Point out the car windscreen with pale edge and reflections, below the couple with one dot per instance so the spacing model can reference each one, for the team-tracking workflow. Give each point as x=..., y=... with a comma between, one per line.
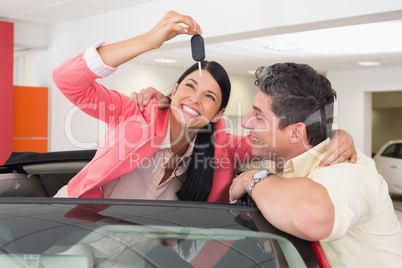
x=200, y=247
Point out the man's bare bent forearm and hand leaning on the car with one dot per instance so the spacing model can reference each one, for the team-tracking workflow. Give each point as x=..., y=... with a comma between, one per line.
x=298, y=206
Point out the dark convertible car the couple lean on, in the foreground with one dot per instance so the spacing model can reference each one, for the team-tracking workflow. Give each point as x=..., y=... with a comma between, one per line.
x=39, y=231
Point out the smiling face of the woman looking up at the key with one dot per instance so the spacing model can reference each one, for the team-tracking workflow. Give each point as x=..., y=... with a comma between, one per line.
x=196, y=100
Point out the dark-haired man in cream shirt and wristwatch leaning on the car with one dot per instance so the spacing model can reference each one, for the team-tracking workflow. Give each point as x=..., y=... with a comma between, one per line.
x=347, y=207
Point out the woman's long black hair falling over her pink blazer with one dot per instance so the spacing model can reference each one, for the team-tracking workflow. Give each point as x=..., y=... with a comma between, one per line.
x=200, y=169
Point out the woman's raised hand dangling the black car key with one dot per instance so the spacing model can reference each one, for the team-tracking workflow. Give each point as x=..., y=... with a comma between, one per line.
x=171, y=25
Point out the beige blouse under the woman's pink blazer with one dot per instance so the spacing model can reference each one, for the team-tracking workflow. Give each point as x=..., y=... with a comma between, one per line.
x=145, y=181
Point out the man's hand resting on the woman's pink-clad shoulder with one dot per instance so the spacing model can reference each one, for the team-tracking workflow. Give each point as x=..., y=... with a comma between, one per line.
x=145, y=95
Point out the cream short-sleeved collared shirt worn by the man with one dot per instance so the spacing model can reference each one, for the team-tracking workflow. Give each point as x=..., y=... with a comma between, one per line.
x=366, y=230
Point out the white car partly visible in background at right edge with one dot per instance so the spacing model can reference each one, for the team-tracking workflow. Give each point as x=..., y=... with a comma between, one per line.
x=389, y=164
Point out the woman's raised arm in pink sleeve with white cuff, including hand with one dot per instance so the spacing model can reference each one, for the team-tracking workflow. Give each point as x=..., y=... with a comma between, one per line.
x=76, y=77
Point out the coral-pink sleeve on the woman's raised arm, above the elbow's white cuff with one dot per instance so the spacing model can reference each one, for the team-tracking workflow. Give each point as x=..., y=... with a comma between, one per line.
x=77, y=82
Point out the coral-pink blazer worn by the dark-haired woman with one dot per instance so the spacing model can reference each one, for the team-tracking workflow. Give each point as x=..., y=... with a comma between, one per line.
x=134, y=136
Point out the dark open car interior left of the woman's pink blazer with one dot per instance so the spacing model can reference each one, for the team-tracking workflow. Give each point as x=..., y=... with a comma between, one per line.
x=31, y=174
